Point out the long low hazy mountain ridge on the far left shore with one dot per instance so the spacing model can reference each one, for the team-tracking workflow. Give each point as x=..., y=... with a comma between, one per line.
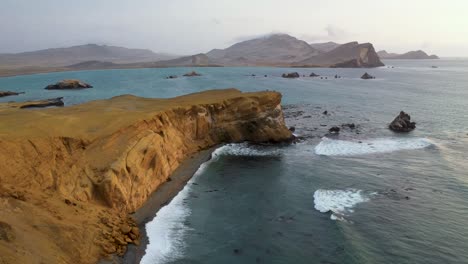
x=58, y=57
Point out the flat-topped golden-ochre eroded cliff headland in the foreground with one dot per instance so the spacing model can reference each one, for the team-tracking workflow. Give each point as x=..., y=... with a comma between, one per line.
x=69, y=177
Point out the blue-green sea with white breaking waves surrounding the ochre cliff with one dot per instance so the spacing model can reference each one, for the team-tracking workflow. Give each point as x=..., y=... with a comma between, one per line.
x=365, y=196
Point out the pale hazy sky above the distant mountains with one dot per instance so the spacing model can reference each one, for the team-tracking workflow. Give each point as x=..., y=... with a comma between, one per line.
x=193, y=26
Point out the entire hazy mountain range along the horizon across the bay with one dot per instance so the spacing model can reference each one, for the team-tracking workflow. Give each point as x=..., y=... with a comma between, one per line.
x=279, y=50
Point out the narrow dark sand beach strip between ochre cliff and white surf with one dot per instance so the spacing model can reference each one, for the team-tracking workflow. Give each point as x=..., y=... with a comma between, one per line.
x=158, y=199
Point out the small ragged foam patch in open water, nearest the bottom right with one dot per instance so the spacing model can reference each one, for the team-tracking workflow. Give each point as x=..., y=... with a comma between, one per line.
x=338, y=202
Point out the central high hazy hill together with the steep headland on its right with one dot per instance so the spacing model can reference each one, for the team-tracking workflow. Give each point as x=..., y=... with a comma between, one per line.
x=285, y=50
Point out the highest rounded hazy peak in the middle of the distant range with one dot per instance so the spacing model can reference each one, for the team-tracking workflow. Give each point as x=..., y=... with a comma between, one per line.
x=271, y=50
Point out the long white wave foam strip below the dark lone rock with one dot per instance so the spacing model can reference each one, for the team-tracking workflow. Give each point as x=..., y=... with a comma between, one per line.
x=330, y=147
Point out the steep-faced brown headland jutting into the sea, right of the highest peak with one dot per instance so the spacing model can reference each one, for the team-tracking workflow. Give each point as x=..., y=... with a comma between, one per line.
x=349, y=55
